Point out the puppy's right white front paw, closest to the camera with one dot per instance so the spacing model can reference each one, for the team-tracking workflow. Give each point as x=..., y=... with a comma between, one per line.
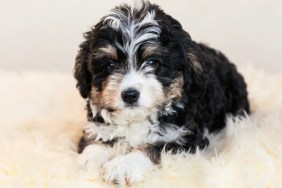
x=127, y=169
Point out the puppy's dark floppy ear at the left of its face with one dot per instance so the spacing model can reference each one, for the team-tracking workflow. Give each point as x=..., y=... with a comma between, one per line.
x=81, y=72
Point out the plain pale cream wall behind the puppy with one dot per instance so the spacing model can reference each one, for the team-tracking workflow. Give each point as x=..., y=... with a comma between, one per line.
x=44, y=35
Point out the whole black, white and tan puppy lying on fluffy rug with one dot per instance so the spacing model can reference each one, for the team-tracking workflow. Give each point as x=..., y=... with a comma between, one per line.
x=150, y=88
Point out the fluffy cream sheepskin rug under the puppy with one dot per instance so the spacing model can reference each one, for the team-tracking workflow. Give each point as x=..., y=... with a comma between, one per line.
x=42, y=116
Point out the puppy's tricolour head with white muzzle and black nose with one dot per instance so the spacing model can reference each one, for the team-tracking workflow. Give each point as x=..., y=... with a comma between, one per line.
x=134, y=61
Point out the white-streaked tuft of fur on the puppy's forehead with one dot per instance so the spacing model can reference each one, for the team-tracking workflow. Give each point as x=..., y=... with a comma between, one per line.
x=130, y=26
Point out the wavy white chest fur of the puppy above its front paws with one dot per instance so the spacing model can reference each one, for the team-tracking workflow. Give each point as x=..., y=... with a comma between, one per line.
x=137, y=134
